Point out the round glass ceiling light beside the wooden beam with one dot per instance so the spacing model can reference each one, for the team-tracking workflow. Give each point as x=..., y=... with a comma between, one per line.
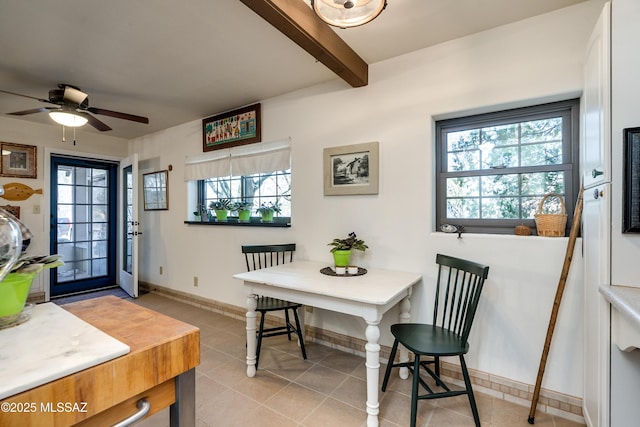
x=348, y=13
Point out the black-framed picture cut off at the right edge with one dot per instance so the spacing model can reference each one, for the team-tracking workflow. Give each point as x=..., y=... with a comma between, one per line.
x=631, y=190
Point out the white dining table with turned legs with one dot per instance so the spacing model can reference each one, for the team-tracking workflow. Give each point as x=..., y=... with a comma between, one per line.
x=368, y=296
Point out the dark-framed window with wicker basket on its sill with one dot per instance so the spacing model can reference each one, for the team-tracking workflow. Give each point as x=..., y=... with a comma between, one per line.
x=494, y=169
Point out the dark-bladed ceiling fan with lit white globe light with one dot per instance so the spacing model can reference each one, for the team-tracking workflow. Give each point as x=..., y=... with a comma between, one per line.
x=74, y=103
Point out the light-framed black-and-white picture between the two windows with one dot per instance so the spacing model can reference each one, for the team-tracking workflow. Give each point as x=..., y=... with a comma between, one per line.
x=351, y=169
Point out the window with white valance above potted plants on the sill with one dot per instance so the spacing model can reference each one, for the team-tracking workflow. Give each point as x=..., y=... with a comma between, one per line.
x=272, y=187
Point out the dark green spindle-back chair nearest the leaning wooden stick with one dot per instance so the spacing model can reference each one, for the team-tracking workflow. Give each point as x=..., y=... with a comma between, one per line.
x=458, y=288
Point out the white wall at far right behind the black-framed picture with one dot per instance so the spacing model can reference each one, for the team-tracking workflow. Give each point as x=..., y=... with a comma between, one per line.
x=625, y=248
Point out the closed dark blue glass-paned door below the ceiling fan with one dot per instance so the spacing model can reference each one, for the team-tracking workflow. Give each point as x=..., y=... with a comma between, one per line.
x=83, y=224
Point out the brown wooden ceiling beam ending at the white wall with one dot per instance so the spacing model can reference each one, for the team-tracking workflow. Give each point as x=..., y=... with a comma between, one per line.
x=297, y=21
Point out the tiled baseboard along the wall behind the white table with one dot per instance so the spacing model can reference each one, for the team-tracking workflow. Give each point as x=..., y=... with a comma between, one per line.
x=551, y=402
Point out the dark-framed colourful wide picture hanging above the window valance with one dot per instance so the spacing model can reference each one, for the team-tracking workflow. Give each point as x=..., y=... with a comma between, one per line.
x=237, y=127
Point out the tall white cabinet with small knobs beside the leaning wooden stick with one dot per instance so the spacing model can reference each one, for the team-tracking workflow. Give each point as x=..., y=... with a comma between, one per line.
x=596, y=221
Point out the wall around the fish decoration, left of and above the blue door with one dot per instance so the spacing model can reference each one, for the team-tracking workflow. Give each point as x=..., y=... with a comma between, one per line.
x=49, y=138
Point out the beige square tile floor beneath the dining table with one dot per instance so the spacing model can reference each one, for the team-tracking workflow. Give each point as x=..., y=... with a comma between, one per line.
x=328, y=389
